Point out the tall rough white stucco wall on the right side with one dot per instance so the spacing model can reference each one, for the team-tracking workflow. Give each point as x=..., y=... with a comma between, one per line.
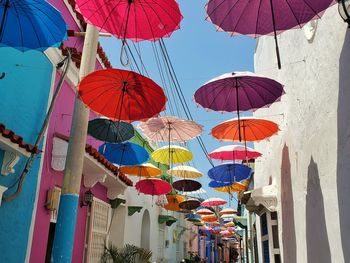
x=309, y=156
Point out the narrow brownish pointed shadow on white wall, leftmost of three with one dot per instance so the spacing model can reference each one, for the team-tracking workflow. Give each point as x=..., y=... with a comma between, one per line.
x=287, y=204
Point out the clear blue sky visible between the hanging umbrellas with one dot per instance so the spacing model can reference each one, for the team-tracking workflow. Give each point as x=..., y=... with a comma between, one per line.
x=198, y=54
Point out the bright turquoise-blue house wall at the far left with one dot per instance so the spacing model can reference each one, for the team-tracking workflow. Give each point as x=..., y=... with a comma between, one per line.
x=23, y=102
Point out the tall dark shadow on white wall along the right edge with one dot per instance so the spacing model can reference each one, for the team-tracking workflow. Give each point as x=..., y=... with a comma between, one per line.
x=343, y=162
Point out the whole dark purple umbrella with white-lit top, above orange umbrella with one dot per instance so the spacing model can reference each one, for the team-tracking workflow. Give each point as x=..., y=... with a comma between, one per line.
x=238, y=91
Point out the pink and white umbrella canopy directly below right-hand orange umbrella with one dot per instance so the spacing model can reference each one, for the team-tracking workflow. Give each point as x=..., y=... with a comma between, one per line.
x=233, y=152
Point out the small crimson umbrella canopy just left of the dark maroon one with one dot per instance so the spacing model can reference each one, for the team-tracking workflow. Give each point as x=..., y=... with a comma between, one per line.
x=153, y=186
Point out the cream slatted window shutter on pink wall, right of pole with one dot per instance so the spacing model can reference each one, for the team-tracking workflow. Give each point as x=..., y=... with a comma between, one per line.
x=97, y=230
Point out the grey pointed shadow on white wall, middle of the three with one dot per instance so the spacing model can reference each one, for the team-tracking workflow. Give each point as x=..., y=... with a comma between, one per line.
x=318, y=250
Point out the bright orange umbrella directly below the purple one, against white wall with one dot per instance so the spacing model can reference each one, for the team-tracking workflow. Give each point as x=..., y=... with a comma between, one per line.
x=253, y=129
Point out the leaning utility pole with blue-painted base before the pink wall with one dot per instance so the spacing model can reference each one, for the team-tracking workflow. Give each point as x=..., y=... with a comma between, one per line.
x=68, y=209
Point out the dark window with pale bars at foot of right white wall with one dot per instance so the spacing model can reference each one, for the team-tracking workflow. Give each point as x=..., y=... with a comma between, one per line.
x=269, y=237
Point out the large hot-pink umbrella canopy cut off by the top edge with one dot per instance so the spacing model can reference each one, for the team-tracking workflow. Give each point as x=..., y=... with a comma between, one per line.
x=135, y=20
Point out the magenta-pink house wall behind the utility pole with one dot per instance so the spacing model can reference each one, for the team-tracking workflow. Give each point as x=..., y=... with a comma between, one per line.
x=60, y=123
